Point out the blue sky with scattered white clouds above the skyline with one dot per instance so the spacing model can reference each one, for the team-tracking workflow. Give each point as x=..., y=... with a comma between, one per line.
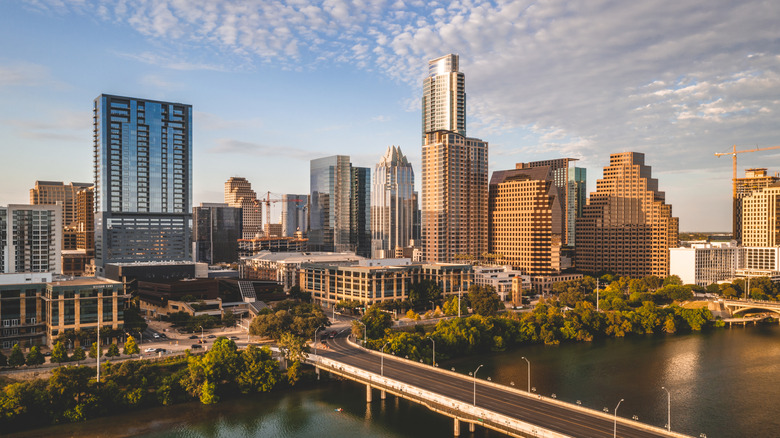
x=275, y=83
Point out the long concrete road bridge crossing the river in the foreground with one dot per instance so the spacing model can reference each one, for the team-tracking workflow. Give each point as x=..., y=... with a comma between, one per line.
x=472, y=401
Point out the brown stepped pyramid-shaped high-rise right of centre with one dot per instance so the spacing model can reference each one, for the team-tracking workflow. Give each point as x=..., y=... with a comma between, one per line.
x=626, y=227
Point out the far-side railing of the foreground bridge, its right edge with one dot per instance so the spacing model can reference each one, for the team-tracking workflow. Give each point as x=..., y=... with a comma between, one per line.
x=526, y=394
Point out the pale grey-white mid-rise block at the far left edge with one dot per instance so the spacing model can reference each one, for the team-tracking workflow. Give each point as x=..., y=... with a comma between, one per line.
x=31, y=238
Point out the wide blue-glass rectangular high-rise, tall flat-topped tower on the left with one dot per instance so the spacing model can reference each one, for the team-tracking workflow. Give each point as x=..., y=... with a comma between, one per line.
x=143, y=180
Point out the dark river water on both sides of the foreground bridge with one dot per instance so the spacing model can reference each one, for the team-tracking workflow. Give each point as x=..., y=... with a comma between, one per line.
x=724, y=383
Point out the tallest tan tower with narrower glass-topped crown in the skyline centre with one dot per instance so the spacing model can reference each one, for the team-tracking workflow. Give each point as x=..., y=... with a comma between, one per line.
x=454, y=170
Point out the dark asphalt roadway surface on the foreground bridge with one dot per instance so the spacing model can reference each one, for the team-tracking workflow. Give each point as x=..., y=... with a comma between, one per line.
x=552, y=416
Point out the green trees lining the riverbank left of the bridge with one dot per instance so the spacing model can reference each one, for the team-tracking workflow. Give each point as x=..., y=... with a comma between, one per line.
x=72, y=394
